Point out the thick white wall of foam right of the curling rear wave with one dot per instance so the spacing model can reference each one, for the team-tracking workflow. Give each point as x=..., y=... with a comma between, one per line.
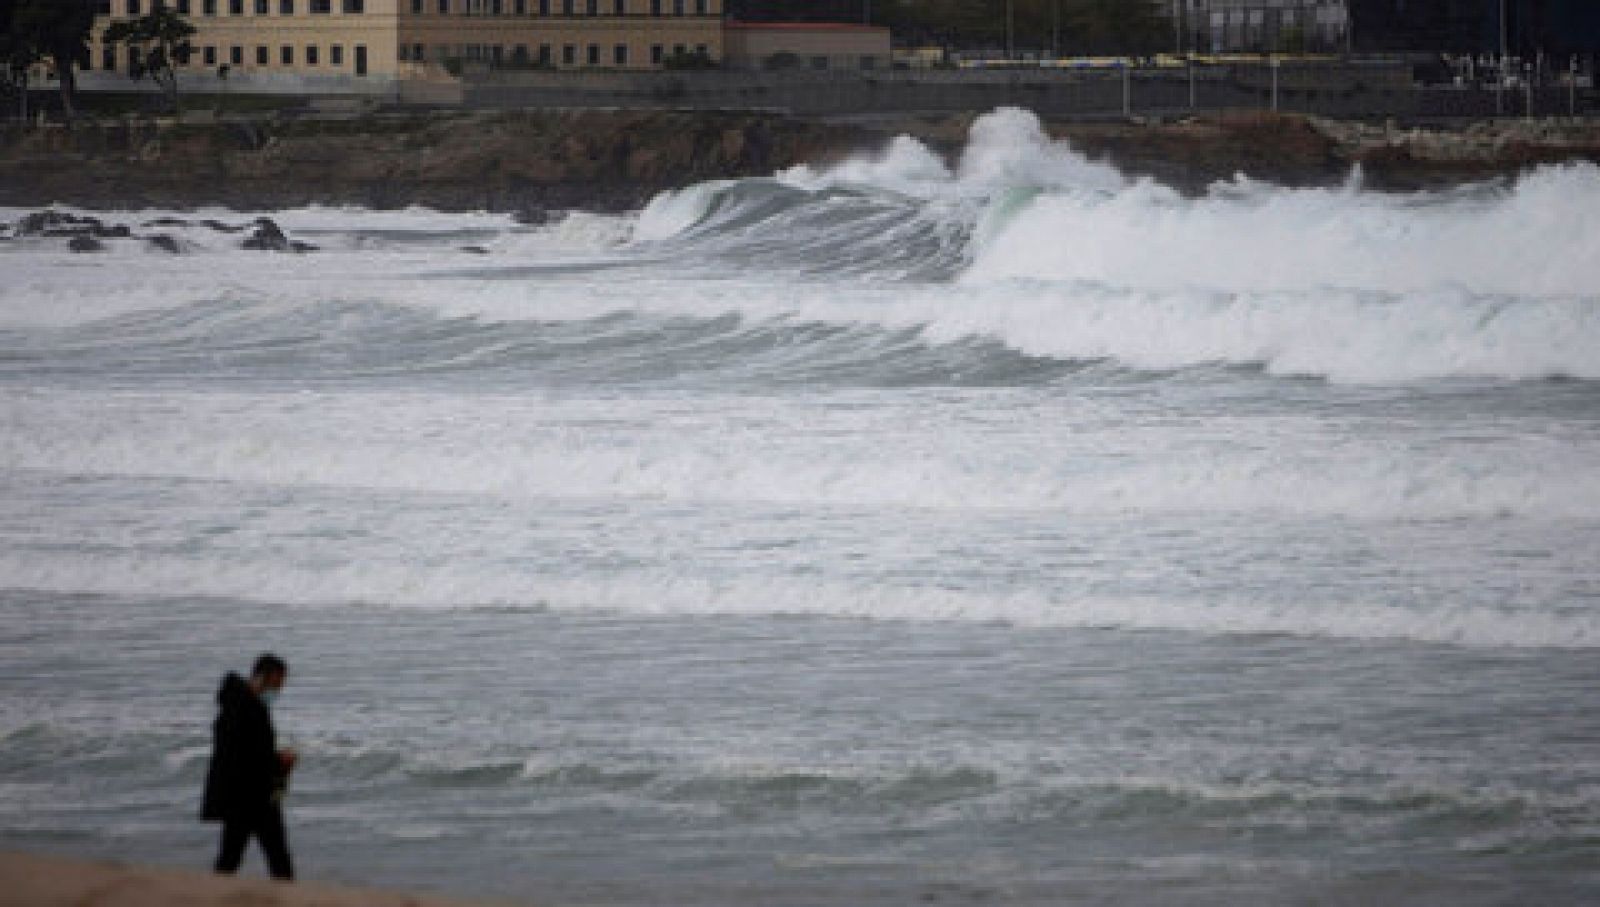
x=1538, y=239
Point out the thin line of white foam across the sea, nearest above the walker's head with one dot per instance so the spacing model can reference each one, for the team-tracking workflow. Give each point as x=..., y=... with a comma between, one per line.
x=431, y=586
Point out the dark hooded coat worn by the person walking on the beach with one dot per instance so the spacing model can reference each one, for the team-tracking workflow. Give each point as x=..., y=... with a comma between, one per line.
x=246, y=773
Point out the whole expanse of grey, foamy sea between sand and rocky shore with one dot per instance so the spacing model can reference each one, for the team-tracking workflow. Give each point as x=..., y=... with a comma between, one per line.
x=982, y=532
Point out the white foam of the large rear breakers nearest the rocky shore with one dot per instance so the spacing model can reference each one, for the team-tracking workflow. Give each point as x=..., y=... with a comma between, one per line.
x=1066, y=262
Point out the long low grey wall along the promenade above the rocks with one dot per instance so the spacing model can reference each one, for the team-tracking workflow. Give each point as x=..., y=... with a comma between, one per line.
x=1338, y=90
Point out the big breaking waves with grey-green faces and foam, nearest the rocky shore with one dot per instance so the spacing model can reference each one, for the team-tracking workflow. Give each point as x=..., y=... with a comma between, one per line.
x=1022, y=260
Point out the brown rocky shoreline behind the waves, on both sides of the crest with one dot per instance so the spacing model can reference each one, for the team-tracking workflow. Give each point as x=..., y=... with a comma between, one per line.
x=537, y=162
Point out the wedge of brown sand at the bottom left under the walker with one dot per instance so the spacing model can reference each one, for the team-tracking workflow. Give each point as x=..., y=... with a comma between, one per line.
x=30, y=881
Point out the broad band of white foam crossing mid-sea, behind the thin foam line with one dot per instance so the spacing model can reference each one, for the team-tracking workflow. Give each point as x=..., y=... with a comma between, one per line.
x=521, y=449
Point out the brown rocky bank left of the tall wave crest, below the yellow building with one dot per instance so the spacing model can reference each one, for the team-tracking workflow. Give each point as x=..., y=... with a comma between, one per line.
x=513, y=162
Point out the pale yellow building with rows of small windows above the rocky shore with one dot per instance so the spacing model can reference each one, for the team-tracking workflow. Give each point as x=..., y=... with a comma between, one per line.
x=398, y=39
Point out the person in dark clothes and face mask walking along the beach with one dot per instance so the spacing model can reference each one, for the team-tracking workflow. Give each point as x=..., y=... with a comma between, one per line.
x=249, y=773
